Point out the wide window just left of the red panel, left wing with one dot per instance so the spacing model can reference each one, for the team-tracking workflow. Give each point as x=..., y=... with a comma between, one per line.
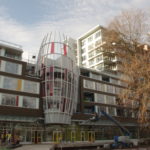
x=9, y=100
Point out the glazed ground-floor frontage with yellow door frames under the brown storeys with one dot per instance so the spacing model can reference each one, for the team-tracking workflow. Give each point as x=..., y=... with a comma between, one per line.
x=29, y=133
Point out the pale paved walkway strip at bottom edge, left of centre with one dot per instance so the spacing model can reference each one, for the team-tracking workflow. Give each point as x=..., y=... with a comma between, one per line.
x=35, y=147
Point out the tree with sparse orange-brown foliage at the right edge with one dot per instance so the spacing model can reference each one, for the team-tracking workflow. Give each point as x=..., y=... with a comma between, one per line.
x=127, y=33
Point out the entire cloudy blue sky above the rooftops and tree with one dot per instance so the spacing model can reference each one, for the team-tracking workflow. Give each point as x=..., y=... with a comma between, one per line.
x=25, y=22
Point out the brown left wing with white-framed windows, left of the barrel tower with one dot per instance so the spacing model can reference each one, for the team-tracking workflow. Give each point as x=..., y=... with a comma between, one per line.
x=20, y=105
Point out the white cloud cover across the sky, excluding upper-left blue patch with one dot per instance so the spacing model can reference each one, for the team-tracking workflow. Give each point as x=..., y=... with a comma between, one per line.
x=70, y=17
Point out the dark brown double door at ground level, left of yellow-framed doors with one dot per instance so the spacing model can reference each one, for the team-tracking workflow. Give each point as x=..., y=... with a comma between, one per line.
x=36, y=136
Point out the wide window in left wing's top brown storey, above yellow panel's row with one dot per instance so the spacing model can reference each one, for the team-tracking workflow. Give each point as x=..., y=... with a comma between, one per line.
x=12, y=68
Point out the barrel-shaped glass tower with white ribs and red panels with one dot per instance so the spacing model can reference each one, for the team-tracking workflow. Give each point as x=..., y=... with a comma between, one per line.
x=56, y=65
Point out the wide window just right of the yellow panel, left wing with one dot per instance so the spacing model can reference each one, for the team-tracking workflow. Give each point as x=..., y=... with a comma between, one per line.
x=31, y=87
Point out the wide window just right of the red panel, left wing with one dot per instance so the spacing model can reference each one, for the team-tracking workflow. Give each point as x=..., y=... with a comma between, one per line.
x=30, y=102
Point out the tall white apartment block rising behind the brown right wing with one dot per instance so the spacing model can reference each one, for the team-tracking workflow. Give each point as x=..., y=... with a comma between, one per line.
x=90, y=51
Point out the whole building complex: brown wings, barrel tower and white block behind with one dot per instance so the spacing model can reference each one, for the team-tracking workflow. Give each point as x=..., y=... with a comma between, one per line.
x=57, y=104
